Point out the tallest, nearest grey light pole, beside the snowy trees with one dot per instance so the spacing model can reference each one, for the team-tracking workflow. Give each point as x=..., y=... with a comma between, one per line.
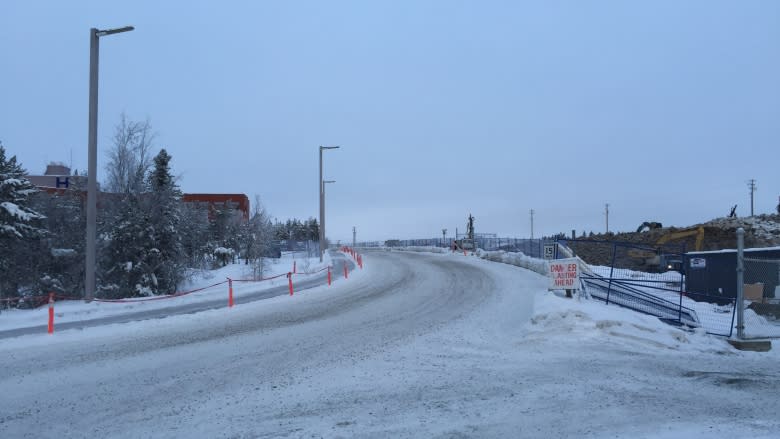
x=94, y=52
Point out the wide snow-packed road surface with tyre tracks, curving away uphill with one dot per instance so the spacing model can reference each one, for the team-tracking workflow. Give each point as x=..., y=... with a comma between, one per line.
x=415, y=345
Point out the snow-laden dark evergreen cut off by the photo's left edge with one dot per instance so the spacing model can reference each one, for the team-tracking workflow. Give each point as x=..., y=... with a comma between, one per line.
x=19, y=225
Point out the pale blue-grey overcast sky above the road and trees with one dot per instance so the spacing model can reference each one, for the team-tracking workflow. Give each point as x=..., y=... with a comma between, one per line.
x=663, y=109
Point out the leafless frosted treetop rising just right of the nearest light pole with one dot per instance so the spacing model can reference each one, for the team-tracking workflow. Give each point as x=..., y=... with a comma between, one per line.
x=130, y=158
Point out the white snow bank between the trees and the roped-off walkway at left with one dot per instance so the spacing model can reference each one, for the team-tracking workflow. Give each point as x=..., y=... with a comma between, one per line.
x=77, y=310
